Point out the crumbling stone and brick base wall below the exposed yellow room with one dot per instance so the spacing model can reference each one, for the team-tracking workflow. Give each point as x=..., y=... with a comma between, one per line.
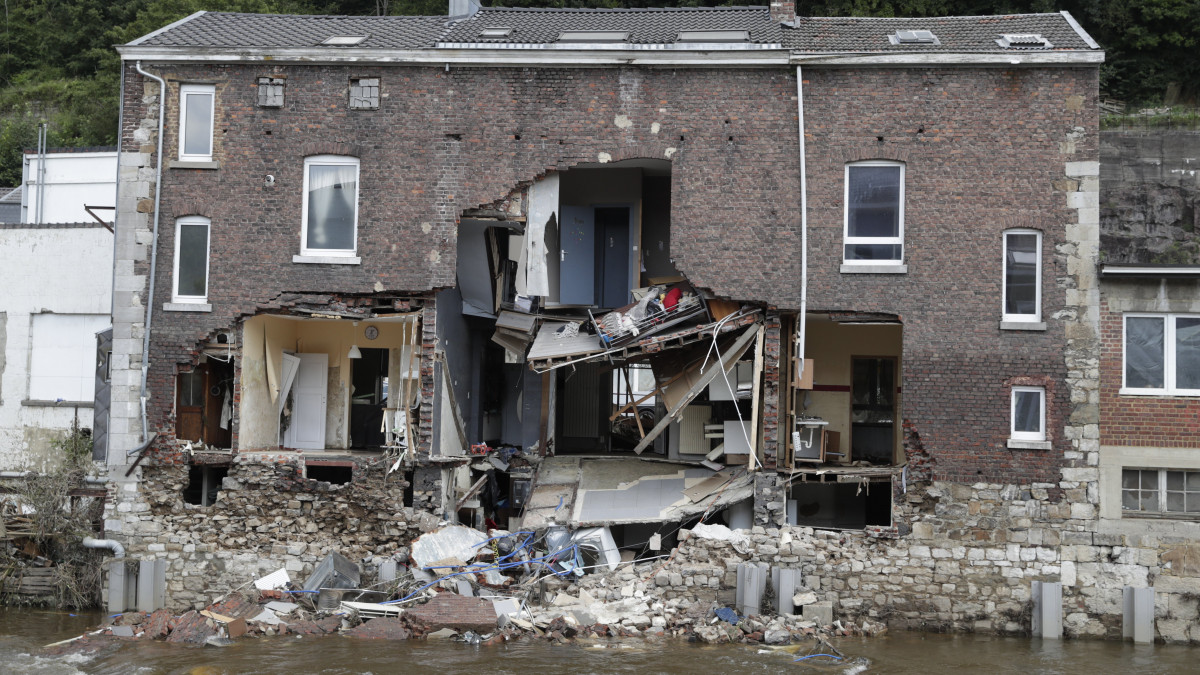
x=267, y=517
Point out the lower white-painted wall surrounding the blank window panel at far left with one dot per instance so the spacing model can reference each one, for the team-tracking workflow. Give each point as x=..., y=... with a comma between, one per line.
x=61, y=271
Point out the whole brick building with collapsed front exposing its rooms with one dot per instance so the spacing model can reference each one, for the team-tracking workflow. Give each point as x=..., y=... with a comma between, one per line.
x=614, y=268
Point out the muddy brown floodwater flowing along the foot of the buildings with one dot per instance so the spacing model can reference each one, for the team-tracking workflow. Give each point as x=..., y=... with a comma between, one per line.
x=23, y=632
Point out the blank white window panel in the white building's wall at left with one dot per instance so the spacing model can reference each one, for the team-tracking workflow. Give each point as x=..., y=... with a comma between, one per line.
x=63, y=356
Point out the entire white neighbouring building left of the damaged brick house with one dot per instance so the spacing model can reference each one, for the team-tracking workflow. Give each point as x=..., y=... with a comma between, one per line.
x=57, y=273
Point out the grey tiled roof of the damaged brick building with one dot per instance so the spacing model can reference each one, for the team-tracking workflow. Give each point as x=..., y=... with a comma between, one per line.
x=645, y=27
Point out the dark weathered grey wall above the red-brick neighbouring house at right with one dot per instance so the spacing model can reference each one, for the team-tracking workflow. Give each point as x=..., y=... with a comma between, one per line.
x=1150, y=196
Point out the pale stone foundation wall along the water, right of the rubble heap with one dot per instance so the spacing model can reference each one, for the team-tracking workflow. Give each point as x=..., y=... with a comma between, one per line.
x=967, y=566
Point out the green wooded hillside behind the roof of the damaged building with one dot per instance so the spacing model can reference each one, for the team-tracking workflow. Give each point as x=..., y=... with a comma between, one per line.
x=58, y=64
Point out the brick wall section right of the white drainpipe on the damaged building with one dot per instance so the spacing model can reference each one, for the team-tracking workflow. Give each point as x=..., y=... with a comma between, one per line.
x=982, y=151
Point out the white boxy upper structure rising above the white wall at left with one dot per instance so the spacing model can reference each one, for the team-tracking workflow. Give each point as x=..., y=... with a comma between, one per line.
x=74, y=181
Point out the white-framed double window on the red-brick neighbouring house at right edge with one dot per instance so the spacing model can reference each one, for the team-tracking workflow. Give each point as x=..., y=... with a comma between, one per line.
x=1162, y=355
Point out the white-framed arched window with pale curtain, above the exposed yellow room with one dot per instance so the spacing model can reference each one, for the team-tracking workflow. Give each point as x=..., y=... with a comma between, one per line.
x=331, y=206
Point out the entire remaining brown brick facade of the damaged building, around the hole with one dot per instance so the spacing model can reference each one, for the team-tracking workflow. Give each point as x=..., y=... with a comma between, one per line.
x=983, y=148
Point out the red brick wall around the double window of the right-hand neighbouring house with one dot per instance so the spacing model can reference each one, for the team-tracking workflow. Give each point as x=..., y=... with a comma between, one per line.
x=1162, y=422
